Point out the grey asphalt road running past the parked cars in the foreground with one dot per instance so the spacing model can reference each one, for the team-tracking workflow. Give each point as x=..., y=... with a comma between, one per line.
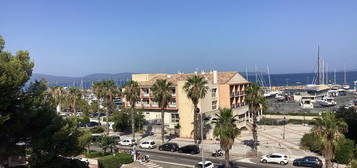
x=177, y=160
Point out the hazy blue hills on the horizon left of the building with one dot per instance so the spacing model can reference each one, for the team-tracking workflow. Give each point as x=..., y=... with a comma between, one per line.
x=91, y=77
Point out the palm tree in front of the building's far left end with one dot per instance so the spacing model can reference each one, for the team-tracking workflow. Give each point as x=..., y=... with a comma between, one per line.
x=132, y=95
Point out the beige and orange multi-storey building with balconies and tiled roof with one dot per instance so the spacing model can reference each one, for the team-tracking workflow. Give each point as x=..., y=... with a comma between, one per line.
x=226, y=90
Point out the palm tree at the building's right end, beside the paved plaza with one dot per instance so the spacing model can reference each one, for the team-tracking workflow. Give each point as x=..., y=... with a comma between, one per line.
x=256, y=103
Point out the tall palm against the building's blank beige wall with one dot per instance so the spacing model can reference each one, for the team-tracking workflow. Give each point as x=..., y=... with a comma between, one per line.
x=196, y=89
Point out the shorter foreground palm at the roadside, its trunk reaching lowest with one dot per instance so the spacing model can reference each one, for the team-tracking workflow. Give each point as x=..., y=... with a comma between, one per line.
x=226, y=130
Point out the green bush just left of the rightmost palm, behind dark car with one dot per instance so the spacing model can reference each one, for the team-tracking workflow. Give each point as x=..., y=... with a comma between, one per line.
x=311, y=142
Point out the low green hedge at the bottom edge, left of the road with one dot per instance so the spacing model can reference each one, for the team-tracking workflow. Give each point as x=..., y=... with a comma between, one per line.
x=116, y=161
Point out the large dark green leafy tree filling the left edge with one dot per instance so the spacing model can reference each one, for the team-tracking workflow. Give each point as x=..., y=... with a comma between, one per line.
x=30, y=116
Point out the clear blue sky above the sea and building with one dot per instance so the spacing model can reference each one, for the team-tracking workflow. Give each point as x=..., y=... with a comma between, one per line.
x=76, y=38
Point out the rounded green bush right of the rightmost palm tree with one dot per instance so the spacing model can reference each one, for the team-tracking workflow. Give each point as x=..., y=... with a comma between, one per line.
x=344, y=151
